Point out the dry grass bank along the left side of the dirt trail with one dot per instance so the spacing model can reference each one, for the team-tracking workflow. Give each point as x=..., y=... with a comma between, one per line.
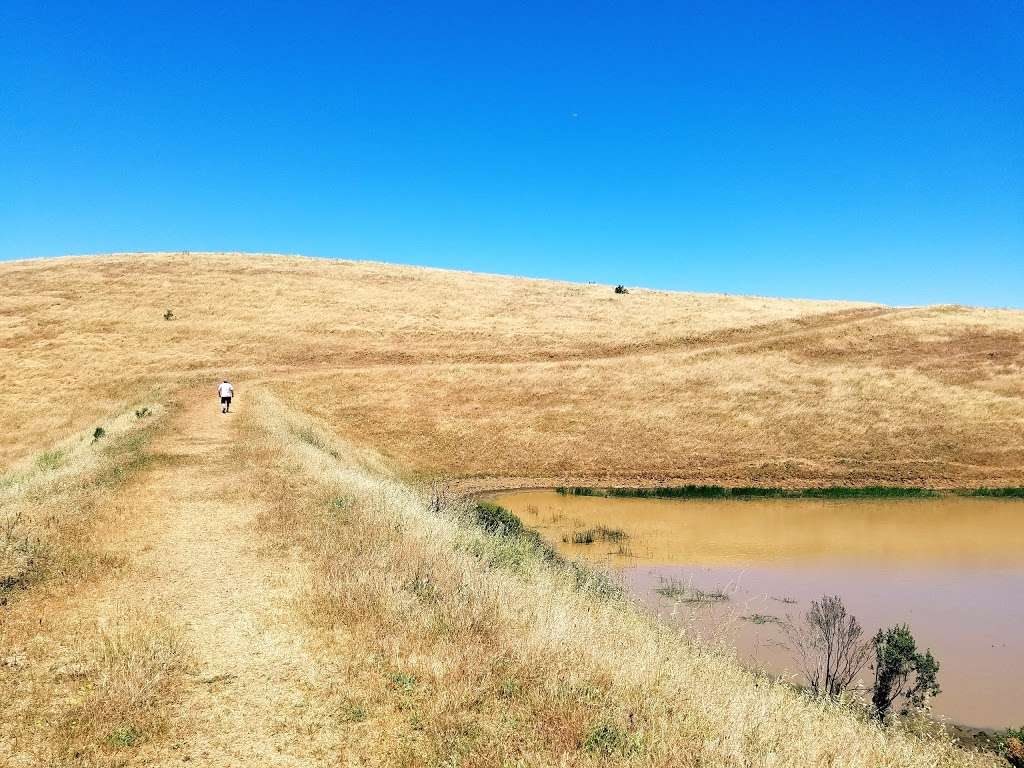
x=78, y=691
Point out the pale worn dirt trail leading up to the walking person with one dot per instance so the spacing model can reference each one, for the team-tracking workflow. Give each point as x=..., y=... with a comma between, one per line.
x=260, y=698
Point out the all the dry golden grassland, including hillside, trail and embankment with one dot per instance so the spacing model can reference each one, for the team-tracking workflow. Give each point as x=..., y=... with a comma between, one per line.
x=298, y=585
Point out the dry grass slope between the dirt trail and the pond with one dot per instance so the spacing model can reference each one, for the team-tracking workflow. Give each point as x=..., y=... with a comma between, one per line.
x=476, y=650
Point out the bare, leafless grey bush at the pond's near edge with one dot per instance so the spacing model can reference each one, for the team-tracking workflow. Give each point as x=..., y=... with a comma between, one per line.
x=830, y=646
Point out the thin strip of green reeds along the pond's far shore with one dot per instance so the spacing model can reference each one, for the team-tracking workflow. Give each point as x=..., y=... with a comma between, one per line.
x=835, y=492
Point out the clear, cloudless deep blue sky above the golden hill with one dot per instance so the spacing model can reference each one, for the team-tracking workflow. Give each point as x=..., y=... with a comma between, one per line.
x=869, y=151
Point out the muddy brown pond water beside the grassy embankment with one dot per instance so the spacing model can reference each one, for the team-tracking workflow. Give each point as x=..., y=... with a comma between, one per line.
x=952, y=568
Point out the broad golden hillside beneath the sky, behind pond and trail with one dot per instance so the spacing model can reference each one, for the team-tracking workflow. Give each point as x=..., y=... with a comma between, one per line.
x=503, y=381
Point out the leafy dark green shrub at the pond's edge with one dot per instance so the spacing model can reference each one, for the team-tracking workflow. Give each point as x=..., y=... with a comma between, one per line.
x=902, y=671
